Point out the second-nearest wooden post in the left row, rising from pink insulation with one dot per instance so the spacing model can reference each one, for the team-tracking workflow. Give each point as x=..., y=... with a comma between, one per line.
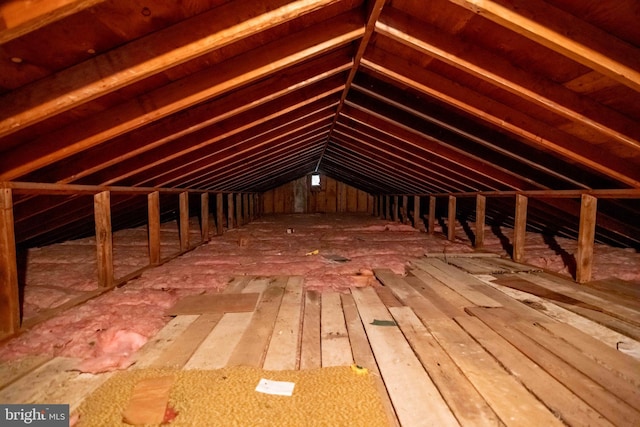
x=104, y=238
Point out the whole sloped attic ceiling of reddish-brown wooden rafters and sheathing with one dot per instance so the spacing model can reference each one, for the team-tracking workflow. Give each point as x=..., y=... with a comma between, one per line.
x=392, y=97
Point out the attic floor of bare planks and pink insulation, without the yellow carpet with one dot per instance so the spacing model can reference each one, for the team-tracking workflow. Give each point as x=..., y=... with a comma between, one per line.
x=467, y=339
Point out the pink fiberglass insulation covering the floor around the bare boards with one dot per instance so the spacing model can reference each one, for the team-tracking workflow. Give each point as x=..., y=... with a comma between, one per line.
x=329, y=251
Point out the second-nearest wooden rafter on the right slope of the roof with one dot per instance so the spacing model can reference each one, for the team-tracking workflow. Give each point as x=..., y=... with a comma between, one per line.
x=500, y=72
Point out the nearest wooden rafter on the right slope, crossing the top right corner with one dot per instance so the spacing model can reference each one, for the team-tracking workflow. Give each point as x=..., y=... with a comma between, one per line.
x=564, y=33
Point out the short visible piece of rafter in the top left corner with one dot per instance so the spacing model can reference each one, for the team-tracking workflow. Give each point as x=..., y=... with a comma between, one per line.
x=20, y=17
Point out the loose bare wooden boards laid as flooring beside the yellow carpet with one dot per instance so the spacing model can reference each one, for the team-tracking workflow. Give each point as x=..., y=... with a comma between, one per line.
x=448, y=347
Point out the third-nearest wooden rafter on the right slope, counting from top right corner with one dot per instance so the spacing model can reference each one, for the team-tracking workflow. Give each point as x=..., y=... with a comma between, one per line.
x=538, y=134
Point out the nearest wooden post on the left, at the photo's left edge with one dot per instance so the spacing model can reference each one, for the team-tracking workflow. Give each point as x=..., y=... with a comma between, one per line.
x=9, y=291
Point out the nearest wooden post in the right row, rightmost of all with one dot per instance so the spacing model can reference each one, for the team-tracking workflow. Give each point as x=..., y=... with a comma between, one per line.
x=586, y=237
